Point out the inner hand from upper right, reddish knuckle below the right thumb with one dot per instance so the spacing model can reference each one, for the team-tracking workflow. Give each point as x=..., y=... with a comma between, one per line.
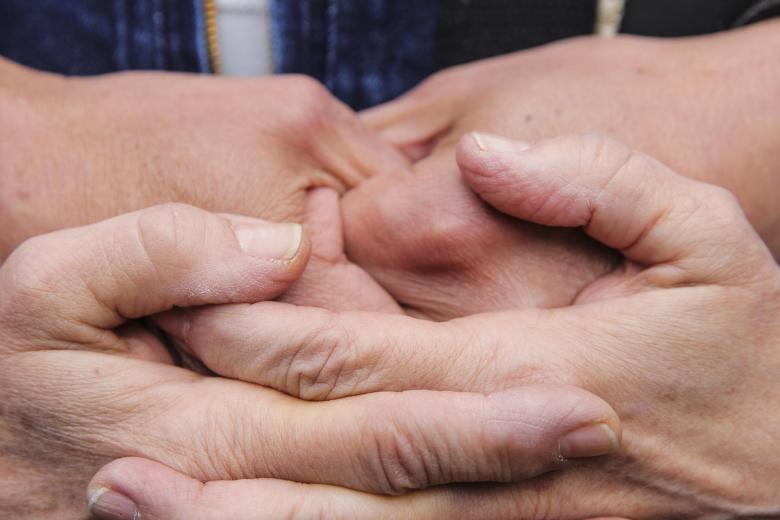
x=706, y=106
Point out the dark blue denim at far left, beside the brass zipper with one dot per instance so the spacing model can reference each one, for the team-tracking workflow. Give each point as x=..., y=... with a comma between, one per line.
x=79, y=37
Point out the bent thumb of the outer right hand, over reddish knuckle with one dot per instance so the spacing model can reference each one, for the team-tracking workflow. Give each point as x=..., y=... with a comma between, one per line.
x=622, y=198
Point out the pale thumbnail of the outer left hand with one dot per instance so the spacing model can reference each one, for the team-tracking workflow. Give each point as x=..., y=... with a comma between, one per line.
x=269, y=241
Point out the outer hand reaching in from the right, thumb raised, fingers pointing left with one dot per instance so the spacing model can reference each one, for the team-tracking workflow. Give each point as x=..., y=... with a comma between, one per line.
x=683, y=340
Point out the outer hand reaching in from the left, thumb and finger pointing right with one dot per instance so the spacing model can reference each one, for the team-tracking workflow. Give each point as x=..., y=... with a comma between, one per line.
x=83, y=381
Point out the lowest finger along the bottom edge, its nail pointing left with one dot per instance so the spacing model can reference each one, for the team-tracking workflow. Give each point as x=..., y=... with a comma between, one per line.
x=151, y=491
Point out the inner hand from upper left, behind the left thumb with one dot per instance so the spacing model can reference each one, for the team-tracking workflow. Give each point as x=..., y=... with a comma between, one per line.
x=75, y=151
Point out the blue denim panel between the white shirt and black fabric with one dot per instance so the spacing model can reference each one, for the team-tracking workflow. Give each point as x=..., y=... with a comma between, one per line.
x=364, y=51
